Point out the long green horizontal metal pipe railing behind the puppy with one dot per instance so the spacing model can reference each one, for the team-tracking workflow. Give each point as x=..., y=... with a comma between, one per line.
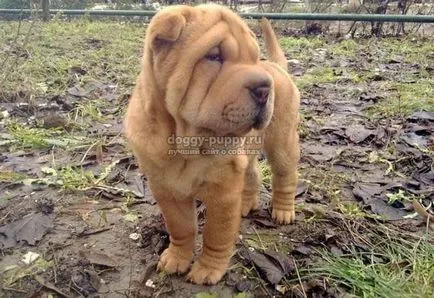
x=275, y=16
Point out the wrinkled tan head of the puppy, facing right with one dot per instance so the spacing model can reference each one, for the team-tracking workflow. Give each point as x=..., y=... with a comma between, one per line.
x=210, y=74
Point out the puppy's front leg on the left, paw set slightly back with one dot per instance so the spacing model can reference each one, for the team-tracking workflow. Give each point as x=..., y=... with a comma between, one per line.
x=180, y=219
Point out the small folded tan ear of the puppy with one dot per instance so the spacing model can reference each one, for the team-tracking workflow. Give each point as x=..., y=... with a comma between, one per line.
x=165, y=28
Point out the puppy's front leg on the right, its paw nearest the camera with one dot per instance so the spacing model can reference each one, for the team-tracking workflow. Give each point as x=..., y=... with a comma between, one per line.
x=223, y=215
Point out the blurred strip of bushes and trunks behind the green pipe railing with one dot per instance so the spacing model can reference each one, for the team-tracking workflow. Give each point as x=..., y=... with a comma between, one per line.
x=401, y=7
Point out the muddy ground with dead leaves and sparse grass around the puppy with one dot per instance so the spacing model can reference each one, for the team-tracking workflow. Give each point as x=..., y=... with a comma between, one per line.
x=71, y=193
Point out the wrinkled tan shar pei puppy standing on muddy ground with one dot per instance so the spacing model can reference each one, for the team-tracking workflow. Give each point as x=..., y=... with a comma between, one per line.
x=201, y=93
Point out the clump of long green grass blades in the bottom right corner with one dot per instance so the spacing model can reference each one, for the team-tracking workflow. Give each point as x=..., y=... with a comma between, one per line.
x=393, y=267
